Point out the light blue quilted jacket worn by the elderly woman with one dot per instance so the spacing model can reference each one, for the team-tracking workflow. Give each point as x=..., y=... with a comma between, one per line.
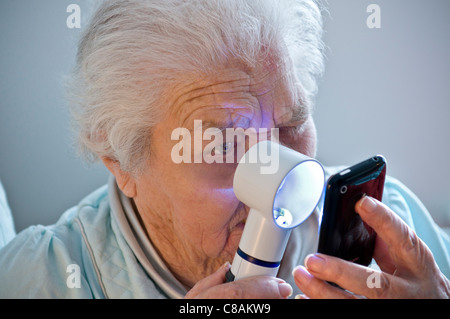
x=95, y=250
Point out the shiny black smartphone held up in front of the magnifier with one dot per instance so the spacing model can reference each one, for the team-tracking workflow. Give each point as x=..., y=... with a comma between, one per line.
x=343, y=234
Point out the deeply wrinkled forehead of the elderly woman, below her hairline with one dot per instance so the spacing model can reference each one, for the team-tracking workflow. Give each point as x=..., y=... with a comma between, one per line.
x=236, y=94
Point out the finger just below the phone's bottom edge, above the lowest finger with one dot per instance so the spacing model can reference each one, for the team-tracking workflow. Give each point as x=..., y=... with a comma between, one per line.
x=353, y=277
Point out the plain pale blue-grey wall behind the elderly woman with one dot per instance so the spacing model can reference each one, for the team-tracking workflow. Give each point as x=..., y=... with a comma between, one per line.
x=385, y=91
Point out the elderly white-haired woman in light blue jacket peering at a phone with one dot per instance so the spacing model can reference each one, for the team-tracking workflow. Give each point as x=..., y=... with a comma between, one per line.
x=168, y=229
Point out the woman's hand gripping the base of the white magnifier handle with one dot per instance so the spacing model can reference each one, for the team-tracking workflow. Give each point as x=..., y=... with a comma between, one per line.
x=258, y=287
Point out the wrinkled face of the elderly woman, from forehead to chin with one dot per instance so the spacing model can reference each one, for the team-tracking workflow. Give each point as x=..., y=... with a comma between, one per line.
x=203, y=220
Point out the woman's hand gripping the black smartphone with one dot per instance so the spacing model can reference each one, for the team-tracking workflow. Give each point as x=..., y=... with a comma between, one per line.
x=408, y=269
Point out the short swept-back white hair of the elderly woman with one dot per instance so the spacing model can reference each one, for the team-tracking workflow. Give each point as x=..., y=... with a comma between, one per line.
x=133, y=50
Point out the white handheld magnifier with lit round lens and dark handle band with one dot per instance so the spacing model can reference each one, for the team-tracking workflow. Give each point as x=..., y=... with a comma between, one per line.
x=279, y=201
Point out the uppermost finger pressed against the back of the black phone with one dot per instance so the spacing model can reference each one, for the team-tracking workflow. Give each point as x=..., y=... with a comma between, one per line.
x=405, y=247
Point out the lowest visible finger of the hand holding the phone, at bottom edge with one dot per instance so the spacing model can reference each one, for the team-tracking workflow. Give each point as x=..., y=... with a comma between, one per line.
x=313, y=287
